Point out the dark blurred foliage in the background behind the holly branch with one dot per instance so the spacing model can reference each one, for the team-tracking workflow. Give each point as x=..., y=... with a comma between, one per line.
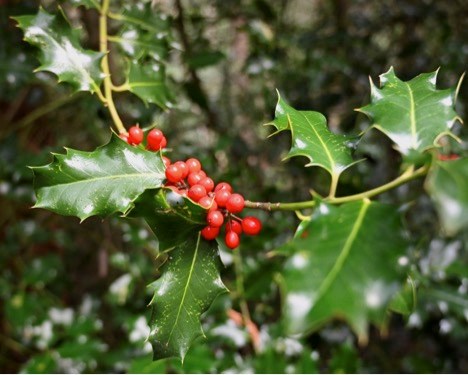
x=74, y=296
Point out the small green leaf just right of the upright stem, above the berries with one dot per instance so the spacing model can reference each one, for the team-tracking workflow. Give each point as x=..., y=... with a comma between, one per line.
x=148, y=83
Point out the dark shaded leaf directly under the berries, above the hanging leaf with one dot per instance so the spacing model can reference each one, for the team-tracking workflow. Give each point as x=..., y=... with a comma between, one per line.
x=172, y=217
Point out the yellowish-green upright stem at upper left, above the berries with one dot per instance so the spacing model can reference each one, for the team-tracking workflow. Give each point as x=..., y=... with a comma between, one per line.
x=105, y=67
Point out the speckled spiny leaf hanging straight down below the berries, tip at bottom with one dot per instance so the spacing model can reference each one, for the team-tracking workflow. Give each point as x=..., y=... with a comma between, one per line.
x=189, y=283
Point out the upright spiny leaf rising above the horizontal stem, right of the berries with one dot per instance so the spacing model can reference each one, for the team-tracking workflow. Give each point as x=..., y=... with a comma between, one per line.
x=312, y=138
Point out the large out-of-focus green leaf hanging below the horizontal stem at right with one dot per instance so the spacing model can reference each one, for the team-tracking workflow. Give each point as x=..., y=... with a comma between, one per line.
x=344, y=264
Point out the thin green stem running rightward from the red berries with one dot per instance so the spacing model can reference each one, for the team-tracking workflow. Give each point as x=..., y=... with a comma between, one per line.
x=408, y=175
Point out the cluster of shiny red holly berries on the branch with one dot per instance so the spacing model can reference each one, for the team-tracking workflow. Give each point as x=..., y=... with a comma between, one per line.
x=188, y=179
